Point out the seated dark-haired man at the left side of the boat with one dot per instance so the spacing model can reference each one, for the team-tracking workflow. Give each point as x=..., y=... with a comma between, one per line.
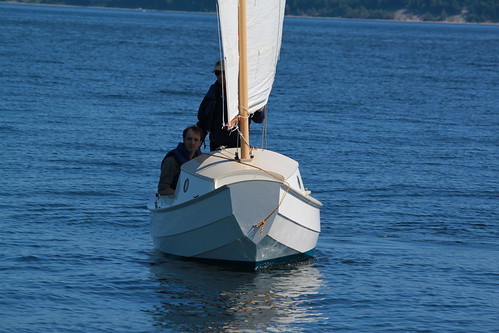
x=185, y=151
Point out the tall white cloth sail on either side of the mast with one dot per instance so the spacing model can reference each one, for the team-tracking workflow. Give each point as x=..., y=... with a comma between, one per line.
x=264, y=30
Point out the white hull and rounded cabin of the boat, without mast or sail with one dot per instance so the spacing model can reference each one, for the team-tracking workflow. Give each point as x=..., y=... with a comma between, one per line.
x=216, y=216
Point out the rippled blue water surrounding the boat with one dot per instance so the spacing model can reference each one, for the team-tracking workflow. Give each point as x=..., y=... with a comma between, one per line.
x=395, y=125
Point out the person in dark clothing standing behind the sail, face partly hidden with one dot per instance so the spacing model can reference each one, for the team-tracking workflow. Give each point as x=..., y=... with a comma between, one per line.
x=213, y=110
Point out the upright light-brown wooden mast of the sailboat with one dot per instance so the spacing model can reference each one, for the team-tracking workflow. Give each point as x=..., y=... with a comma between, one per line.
x=243, y=83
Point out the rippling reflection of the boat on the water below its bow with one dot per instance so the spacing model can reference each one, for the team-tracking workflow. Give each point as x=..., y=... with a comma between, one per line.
x=201, y=297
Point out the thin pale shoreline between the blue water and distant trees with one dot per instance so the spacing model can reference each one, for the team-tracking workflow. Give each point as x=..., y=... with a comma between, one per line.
x=401, y=17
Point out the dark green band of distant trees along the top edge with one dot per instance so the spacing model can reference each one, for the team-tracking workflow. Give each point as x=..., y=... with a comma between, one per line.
x=428, y=10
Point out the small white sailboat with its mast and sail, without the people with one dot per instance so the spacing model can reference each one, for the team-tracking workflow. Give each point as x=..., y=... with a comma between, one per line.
x=238, y=205
